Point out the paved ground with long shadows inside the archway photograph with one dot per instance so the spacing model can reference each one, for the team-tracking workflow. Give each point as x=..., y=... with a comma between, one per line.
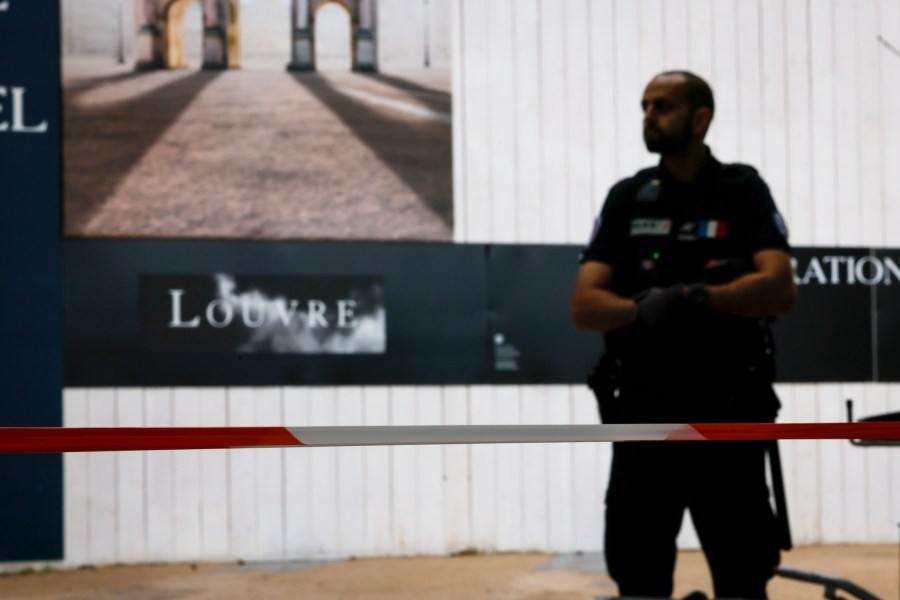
x=256, y=153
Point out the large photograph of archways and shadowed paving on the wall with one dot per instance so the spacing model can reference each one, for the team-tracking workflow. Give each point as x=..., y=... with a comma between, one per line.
x=257, y=119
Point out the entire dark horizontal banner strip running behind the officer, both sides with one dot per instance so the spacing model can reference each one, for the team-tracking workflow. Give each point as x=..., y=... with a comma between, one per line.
x=146, y=313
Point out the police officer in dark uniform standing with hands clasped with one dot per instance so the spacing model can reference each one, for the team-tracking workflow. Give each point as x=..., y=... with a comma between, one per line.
x=687, y=263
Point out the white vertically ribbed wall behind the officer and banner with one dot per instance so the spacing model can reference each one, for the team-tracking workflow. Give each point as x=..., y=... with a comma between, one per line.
x=546, y=117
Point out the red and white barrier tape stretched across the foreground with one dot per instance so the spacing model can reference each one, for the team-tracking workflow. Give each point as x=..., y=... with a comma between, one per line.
x=24, y=440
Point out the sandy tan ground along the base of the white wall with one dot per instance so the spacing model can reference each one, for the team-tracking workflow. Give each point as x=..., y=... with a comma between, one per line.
x=479, y=577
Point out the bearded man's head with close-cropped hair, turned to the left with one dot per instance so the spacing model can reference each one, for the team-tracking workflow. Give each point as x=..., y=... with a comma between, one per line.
x=678, y=108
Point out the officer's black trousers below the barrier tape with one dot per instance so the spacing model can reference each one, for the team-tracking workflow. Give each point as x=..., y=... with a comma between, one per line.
x=723, y=484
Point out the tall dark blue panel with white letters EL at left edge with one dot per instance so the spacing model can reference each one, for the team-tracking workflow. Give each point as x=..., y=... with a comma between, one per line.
x=31, y=370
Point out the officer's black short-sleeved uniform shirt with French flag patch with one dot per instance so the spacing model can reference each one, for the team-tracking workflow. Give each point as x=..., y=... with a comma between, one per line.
x=655, y=231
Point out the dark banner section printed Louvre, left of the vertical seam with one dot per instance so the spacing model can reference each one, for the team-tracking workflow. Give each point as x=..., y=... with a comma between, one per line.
x=370, y=313
